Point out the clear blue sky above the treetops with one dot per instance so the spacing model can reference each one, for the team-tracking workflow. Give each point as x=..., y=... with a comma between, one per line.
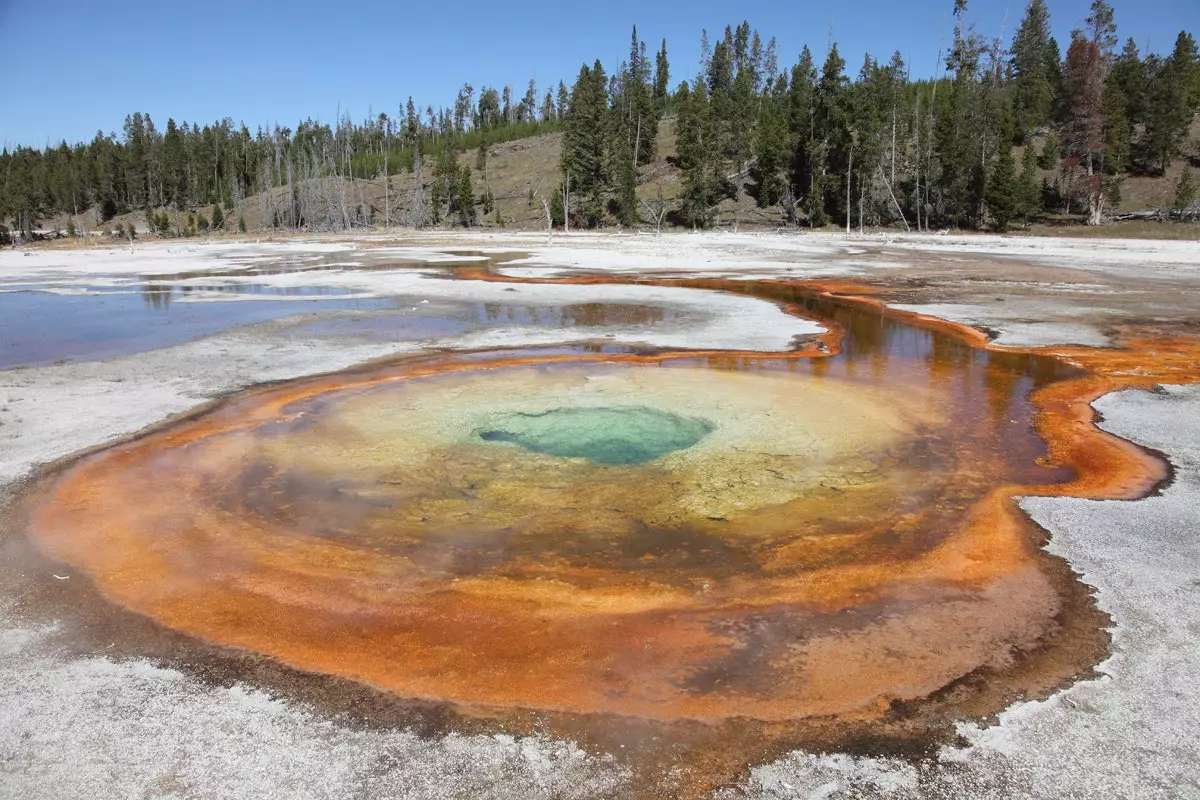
x=73, y=67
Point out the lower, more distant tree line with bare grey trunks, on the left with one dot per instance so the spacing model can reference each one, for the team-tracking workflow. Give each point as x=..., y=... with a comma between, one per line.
x=302, y=177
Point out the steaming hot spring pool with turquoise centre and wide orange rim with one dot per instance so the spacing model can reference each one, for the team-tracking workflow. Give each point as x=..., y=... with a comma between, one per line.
x=711, y=558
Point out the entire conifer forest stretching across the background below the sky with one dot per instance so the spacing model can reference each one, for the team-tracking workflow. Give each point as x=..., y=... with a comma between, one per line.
x=812, y=143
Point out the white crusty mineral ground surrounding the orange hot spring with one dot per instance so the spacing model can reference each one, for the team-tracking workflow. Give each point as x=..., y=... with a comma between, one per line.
x=89, y=726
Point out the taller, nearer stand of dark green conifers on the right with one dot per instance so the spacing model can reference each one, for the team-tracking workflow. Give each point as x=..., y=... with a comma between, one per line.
x=817, y=147
